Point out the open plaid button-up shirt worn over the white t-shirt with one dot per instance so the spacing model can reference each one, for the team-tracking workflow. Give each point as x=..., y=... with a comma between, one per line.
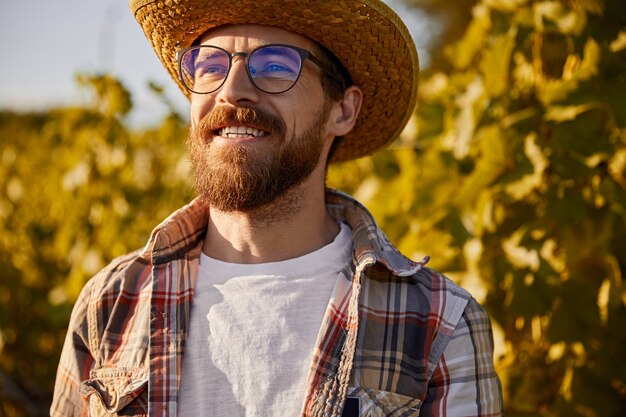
x=397, y=339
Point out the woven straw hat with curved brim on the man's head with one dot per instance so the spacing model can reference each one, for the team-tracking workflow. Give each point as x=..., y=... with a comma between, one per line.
x=367, y=36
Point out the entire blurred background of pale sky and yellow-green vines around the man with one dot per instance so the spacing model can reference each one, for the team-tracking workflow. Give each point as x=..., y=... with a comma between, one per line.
x=511, y=176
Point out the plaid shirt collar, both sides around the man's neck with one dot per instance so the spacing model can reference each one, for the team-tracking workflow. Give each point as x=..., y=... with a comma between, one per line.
x=185, y=229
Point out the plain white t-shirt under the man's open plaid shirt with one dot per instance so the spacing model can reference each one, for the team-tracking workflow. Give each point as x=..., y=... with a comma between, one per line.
x=253, y=330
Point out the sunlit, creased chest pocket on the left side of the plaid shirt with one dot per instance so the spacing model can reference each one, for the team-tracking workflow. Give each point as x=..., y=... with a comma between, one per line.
x=116, y=392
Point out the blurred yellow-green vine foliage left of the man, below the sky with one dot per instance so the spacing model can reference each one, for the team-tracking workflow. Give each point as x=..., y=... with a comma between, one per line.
x=79, y=187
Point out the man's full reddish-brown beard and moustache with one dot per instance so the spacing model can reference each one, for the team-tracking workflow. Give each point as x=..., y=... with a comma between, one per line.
x=243, y=178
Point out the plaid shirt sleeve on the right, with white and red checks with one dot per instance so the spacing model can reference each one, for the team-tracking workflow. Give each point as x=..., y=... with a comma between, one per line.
x=465, y=382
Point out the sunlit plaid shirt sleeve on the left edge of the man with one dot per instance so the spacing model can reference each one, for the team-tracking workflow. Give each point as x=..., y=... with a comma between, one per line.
x=75, y=364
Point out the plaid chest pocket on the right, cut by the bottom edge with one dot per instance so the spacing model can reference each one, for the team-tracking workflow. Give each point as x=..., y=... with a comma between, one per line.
x=376, y=403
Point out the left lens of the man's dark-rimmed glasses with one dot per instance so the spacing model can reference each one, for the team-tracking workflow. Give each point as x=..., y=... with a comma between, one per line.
x=204, y=68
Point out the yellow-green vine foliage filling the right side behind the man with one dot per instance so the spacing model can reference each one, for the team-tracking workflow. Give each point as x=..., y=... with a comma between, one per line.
x=512, y=177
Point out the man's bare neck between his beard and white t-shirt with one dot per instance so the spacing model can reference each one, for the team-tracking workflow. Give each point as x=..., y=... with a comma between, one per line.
x=294, y=225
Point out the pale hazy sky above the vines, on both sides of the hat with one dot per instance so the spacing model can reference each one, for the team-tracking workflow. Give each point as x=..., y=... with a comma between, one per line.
x=44, y=44
